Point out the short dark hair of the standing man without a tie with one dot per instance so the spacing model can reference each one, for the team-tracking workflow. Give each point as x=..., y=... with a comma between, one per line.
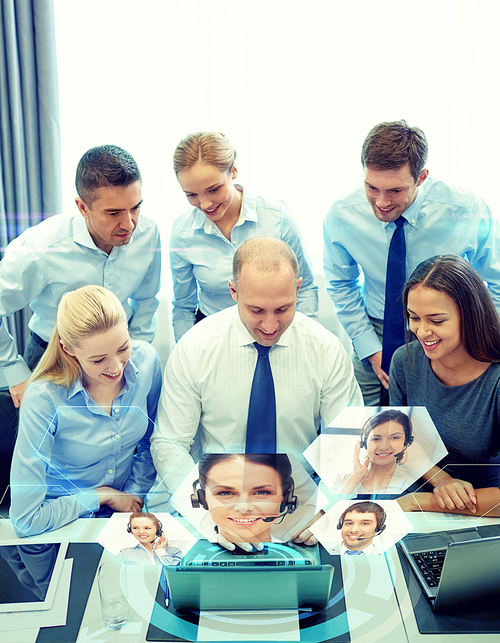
x=104, y=166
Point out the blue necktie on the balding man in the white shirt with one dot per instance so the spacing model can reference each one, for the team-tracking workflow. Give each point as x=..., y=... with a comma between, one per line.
x=261, y=424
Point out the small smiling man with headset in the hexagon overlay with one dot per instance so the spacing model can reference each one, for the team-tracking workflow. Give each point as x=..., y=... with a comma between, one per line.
x=359, y=524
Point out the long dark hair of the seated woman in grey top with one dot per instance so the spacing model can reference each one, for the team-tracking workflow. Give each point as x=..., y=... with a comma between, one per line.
x=479, y=321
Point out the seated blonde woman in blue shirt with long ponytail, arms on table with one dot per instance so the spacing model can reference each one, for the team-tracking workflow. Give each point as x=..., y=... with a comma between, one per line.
x=88, y=406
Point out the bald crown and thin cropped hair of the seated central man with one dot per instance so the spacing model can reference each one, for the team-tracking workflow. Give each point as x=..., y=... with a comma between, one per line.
x=267, y=253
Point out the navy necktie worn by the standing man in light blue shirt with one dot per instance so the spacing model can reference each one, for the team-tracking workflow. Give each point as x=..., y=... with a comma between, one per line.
x=394, y=318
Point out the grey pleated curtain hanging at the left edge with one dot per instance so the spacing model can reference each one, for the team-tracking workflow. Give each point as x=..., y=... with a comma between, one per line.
x=30, y=151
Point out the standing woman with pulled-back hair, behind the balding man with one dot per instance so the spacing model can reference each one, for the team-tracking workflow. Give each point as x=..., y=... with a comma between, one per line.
x=223, y=216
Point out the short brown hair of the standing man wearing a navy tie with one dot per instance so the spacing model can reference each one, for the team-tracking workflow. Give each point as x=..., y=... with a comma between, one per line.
x=391, y=145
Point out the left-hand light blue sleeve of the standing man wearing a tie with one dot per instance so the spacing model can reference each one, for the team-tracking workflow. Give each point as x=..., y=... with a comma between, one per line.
x=342, y=275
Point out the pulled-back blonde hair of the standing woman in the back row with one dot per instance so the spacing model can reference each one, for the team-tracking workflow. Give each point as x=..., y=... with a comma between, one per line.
x=211, y=148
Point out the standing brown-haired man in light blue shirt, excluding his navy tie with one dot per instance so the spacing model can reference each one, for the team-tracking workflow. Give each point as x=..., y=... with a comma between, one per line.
x=438, y=219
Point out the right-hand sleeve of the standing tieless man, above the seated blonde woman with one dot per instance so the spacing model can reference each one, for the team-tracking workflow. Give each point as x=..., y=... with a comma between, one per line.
x=144, y=301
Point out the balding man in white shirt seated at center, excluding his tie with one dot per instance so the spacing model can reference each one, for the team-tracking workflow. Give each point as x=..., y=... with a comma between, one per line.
x=204, y=402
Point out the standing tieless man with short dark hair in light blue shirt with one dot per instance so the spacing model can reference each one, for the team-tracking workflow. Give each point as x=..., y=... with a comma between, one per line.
x=105, y=243
